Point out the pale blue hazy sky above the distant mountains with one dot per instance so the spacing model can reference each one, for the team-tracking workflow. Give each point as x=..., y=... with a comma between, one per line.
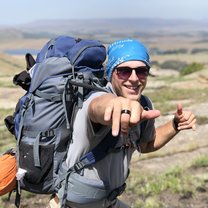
x=14, y=12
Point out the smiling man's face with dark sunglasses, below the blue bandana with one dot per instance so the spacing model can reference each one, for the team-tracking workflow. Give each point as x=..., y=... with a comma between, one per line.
x=129, y=79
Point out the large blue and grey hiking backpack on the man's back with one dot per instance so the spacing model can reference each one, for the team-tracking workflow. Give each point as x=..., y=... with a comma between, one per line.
x=64, y=72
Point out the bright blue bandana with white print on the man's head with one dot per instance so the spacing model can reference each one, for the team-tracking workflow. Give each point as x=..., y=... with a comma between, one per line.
x=125, y=50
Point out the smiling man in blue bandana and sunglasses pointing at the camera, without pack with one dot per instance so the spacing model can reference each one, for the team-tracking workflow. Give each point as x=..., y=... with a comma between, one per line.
x=120, y=112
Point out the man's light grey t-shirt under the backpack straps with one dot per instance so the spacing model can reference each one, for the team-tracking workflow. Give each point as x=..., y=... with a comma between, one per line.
x=112, y=170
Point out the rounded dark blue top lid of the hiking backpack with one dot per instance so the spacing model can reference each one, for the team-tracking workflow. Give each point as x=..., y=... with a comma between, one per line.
x=80, y=52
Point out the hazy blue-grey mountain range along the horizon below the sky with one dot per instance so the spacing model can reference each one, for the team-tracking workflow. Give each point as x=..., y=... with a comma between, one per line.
x=103, y=28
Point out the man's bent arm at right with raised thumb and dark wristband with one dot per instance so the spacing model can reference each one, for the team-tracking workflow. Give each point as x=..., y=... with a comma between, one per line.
x=182, y=119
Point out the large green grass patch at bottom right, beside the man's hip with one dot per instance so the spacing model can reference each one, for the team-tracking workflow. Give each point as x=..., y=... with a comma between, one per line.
x=146, y=189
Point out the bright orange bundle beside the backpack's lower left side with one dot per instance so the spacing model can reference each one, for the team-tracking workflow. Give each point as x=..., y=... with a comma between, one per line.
x=7, y=173
